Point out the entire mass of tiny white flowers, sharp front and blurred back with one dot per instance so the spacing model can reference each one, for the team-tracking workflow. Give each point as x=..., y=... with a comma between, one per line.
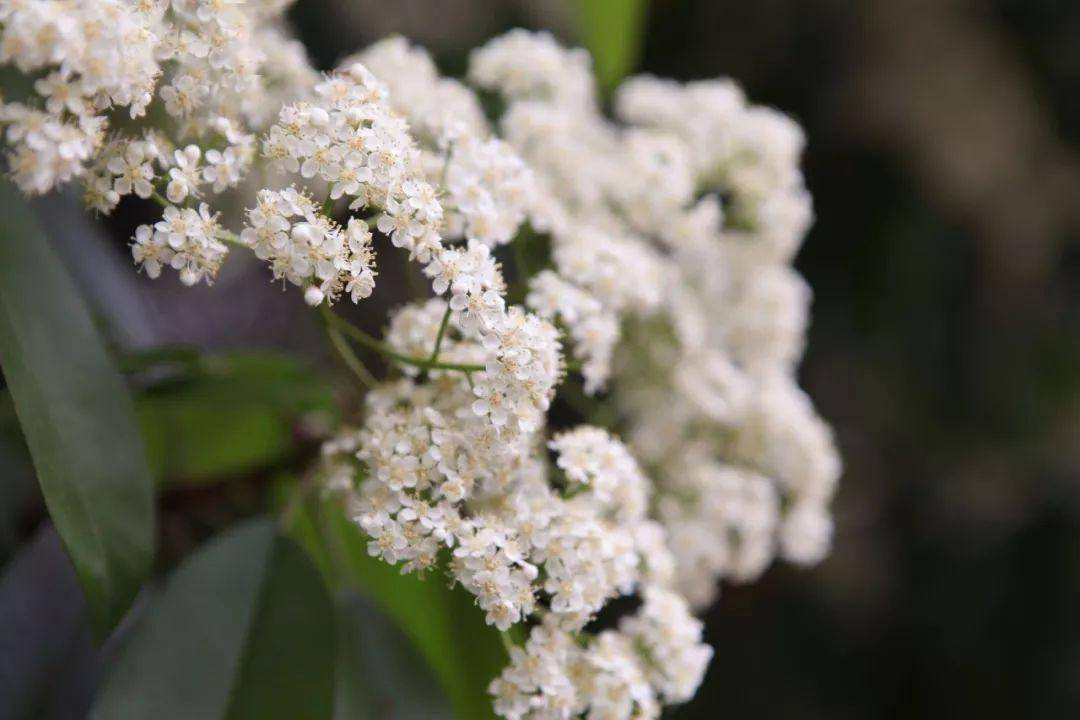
x=668, y=235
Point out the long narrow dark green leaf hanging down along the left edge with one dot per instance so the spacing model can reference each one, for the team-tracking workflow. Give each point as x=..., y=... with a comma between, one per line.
x=77, y=418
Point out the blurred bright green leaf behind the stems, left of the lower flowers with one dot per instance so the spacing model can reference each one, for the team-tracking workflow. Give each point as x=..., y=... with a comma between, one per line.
x=229, y=415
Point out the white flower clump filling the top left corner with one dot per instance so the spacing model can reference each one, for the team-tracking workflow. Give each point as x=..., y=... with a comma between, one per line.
x=219, y=70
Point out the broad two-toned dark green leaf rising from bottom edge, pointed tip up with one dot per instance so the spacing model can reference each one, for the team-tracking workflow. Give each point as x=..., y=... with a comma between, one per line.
x=245, y=629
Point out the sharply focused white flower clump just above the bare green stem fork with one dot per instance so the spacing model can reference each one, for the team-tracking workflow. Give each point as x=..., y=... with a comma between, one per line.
x=348, y=143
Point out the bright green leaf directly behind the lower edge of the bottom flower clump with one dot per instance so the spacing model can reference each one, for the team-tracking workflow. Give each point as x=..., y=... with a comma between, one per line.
x=443, y=623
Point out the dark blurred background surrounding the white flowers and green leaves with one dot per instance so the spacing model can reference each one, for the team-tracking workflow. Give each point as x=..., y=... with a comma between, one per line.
x=946, y=349
